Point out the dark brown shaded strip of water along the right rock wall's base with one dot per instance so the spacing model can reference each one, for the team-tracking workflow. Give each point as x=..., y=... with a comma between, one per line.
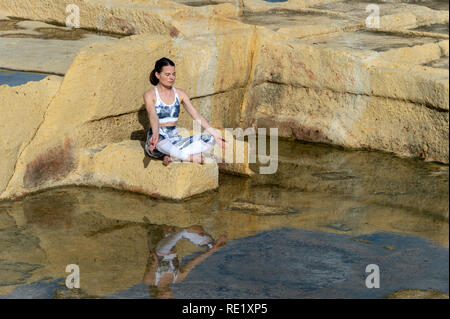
x=370, y=177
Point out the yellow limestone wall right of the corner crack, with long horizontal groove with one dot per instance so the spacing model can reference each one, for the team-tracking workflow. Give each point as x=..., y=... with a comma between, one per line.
x=356, y=101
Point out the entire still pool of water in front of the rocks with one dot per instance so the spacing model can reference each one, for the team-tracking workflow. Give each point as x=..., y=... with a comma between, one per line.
x=307, y=231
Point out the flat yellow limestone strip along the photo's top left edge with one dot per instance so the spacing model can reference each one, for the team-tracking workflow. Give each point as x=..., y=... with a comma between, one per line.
x=123, y=17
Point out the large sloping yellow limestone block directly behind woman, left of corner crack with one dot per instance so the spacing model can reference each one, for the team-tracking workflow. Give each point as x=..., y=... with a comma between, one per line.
x=84, y=110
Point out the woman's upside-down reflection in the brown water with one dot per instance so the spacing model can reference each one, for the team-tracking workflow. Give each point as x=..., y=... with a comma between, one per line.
x=163, y=267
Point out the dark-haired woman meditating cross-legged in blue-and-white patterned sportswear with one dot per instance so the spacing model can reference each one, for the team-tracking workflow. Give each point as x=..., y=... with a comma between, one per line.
x=163, y=119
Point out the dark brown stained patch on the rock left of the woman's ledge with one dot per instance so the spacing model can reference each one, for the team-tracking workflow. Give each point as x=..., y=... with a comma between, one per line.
x=54, y=164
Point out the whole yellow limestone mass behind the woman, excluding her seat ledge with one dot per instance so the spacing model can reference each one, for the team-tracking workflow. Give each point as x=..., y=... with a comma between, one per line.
x=333, y=79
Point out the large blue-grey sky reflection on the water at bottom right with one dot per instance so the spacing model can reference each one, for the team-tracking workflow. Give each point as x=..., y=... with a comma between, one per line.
x=294, y=263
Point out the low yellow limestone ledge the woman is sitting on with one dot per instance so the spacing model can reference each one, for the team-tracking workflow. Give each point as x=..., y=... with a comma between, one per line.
x=125, y=166
